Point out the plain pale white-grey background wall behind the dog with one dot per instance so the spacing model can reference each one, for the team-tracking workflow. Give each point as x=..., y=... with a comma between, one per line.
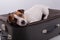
x=7, y=6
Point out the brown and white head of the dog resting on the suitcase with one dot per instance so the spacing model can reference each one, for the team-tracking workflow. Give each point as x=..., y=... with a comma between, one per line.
x=17, y=17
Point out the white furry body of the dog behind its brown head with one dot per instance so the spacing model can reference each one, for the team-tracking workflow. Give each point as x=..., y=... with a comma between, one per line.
x=35, y=13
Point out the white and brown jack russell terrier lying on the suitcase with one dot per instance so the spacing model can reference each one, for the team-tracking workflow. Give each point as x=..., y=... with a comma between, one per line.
x=33, y=14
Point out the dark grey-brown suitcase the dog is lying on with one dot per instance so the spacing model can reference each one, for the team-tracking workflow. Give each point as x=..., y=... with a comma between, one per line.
x=40, y=30
